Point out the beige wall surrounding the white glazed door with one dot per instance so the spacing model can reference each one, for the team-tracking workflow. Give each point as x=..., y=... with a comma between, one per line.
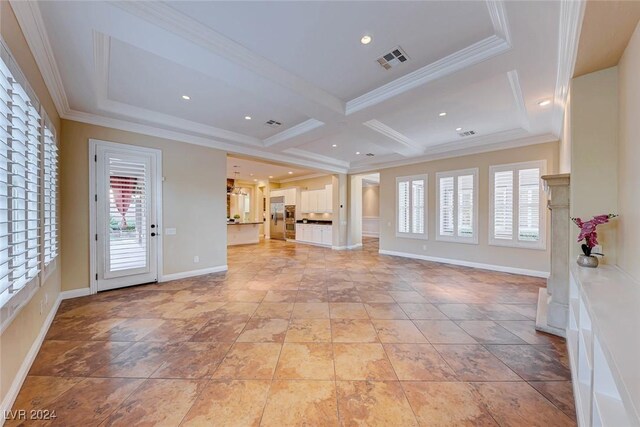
x=194, y=201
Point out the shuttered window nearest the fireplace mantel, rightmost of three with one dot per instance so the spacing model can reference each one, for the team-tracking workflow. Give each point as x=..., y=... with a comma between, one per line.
x=516, y=205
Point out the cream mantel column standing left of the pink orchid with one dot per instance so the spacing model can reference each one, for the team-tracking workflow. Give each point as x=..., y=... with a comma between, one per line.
x=553, y=302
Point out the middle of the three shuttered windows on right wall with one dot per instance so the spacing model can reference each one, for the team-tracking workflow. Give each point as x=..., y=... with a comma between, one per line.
x=457, y=206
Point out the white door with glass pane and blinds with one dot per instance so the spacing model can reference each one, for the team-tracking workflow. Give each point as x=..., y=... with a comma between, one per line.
x=127, y=230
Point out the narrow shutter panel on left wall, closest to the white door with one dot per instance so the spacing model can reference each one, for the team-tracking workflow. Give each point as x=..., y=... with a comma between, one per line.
x=50, y=190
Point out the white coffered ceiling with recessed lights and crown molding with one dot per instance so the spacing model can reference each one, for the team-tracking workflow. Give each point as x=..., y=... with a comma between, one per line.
x=245, y=65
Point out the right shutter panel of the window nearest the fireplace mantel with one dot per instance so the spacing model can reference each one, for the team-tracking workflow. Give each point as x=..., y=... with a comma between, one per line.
x=529, y=204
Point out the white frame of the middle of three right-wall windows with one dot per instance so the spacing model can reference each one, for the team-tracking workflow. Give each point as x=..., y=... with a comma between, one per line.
x=476, y=183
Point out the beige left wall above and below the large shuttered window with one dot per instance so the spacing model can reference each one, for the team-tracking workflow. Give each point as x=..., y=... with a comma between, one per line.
x=20, y=335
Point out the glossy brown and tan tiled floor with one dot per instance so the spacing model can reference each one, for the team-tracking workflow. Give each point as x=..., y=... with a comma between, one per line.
x=300, y=335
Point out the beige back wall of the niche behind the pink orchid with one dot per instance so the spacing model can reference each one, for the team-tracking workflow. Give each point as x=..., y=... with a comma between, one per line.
x=594, y=154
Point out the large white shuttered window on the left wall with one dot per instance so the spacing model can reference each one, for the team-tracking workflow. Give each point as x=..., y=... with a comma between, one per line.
x=28, y=190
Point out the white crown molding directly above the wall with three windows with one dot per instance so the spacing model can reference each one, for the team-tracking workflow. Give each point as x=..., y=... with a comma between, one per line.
x=494, y=142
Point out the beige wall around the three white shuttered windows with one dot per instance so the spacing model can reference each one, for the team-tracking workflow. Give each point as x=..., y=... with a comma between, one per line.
x=529, y=259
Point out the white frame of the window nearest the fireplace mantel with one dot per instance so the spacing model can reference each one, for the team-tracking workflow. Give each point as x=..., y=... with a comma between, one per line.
x=514, y=242
